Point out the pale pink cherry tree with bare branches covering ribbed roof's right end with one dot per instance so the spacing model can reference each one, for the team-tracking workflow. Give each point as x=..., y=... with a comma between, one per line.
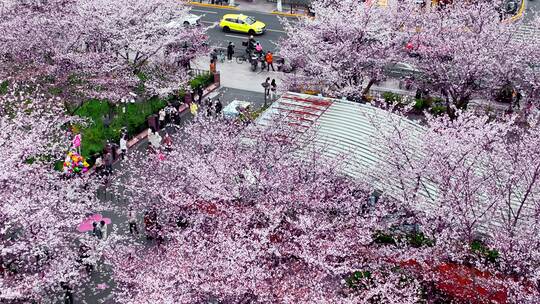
x=472, y=185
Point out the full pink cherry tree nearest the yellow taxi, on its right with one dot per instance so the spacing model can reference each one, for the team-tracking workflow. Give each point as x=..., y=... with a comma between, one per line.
x=342, y=51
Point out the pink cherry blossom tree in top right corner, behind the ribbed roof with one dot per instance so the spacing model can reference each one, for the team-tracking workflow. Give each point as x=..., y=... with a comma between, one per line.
x=464, y=51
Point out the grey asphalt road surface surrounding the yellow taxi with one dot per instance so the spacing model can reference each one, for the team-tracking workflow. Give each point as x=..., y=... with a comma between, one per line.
x=212, y=16
